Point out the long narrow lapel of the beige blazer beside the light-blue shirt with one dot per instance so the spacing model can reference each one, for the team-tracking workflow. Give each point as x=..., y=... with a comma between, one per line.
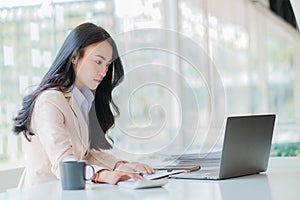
x=79, y=121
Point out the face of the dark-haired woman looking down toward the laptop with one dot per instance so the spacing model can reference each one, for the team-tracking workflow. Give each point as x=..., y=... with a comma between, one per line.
x=93, y=66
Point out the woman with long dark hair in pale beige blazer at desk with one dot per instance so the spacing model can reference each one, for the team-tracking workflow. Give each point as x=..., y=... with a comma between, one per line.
x=54, y=118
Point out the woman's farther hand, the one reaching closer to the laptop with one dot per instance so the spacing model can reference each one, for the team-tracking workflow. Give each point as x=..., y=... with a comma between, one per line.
x=134, y=167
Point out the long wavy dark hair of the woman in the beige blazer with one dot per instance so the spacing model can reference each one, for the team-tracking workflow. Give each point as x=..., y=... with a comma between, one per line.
x=61, y=76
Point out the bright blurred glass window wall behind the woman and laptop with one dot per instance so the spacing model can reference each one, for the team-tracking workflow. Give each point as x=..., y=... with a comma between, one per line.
x=250, y=53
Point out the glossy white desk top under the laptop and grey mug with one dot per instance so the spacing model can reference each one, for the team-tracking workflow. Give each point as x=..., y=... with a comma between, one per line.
x=281, y=182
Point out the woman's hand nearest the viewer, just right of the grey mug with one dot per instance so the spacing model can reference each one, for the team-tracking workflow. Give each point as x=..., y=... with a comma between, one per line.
x=113, y=177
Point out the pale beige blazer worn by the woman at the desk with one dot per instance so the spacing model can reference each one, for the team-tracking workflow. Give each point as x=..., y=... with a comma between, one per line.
x=61, y=134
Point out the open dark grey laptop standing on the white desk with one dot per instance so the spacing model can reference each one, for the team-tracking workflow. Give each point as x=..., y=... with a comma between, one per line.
x=246, y=149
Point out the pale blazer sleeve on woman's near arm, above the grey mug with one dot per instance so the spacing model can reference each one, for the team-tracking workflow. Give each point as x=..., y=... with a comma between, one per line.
x=48, y=122
